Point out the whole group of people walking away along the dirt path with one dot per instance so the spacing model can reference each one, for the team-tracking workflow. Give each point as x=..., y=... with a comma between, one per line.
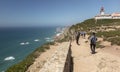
x=92, y=39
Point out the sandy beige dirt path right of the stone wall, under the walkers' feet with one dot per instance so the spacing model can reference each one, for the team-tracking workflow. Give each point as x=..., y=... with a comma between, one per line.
x=84, y=61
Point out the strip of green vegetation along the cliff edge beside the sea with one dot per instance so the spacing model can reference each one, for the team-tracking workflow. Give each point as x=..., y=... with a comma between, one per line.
x=24, y=64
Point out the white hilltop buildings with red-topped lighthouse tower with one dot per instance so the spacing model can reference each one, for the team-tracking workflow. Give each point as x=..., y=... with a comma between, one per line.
x=102, y=15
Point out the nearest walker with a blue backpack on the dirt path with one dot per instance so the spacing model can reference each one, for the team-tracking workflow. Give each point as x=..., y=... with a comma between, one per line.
x=93, y=40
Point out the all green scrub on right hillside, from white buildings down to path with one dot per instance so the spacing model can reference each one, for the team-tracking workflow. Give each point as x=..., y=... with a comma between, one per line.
x=93, y=25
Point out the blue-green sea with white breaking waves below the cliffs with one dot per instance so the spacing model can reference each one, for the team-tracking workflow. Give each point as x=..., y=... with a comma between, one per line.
x=17, y=43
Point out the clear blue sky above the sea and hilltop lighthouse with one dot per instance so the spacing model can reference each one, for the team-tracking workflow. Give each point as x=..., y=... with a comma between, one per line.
x=16, y=13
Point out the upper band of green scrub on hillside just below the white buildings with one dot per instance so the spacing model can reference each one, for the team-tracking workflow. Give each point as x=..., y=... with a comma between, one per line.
x=93, y=24
